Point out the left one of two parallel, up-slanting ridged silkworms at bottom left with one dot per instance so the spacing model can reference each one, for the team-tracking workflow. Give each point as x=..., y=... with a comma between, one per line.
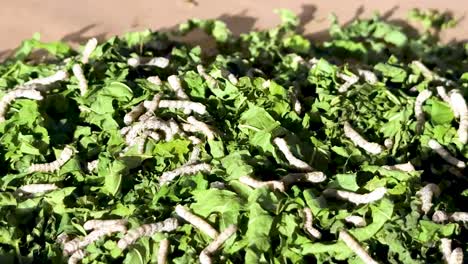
x=79, y=243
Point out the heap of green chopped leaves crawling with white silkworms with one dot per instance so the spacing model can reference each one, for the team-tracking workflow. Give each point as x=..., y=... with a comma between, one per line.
x=269, y=149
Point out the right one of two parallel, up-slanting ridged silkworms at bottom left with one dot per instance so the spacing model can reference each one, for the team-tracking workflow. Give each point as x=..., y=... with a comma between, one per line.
x=168, y=225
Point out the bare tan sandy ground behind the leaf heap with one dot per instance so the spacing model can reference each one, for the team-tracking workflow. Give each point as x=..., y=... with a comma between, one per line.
x=76, y=21
